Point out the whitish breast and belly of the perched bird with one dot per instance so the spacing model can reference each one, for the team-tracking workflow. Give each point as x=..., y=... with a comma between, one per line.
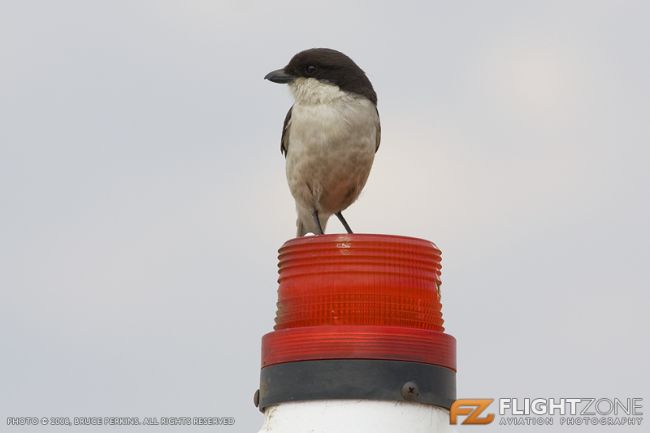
x=332, y=143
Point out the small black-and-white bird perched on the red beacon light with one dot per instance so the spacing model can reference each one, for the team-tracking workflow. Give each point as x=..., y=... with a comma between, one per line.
x=330, y=135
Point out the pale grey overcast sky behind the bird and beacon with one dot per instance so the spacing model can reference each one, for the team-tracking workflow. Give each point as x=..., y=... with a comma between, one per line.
x=143, y=195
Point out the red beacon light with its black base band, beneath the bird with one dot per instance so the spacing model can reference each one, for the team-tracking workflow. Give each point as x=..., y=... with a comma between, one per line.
x=358, y=317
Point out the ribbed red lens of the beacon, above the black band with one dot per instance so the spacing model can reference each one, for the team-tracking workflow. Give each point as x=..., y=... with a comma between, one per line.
x=359, y=296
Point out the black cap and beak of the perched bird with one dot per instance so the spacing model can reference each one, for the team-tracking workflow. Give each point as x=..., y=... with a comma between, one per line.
x=329, y=66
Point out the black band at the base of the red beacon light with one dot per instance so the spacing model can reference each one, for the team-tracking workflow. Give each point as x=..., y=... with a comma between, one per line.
x=357, y=379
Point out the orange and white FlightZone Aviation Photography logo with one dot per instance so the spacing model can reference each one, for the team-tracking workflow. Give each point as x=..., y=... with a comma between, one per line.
x=549, y=411
